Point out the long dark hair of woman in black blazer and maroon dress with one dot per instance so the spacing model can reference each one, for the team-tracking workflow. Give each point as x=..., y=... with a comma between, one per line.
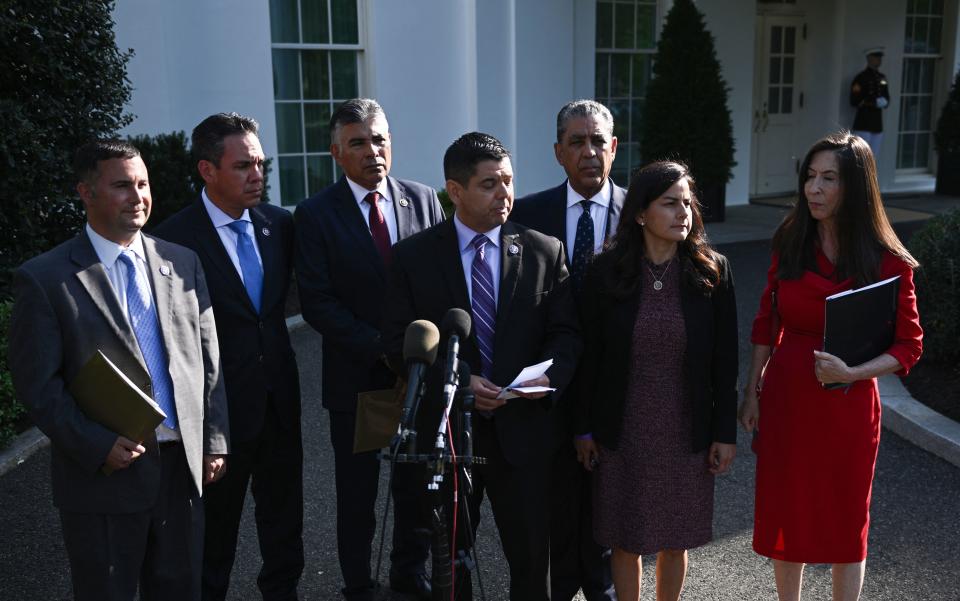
x=625, y=252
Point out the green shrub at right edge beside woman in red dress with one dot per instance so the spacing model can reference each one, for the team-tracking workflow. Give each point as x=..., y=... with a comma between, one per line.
x=937, y=247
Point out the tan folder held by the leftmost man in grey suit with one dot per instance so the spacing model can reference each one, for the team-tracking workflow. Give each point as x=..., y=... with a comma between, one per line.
x=107, y=396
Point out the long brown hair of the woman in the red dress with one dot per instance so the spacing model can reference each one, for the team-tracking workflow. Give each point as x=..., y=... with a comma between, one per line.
x=863, y=230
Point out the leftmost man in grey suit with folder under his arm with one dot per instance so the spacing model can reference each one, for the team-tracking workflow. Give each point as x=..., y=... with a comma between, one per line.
x=143, y=303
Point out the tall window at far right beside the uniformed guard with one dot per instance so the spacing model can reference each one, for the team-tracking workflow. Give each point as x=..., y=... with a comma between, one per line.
x=921, y=52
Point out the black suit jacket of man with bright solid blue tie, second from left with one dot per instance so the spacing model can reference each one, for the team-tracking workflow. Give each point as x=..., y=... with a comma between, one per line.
x=258, y=360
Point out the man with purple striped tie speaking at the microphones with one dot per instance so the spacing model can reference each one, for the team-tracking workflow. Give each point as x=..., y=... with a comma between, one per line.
x=514, y=283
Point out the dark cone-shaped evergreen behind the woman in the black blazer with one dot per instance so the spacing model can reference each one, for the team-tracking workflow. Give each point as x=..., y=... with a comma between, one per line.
x=685, y=116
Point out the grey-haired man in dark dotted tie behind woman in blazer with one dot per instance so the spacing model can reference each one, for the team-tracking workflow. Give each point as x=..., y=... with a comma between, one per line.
x=582, y=213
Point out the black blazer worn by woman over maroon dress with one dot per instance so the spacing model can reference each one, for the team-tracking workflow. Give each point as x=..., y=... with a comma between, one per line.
x=711, y=363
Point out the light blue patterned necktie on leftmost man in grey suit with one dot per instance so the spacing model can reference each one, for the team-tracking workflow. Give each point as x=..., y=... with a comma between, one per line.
x=147, y=330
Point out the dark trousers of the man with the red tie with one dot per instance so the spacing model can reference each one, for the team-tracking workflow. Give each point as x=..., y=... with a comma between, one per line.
x=357, y=480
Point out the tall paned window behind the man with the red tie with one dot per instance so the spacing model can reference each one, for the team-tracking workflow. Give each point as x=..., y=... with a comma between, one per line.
x=316, y=66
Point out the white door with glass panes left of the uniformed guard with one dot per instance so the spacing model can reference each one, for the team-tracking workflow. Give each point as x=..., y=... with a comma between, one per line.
x=777, y=106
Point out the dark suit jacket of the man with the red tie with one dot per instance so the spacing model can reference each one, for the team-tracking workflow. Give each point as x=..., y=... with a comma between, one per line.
x=341, y=280
